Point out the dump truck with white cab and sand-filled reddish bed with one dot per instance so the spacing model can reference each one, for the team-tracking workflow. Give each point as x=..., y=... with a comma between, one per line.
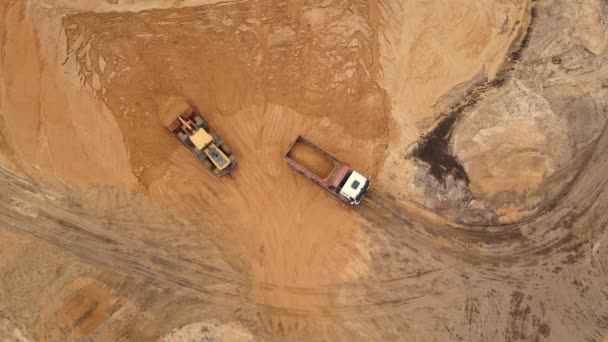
x=326, y=170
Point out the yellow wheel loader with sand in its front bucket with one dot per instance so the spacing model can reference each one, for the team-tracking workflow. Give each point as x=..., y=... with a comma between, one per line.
x=189, y=127
